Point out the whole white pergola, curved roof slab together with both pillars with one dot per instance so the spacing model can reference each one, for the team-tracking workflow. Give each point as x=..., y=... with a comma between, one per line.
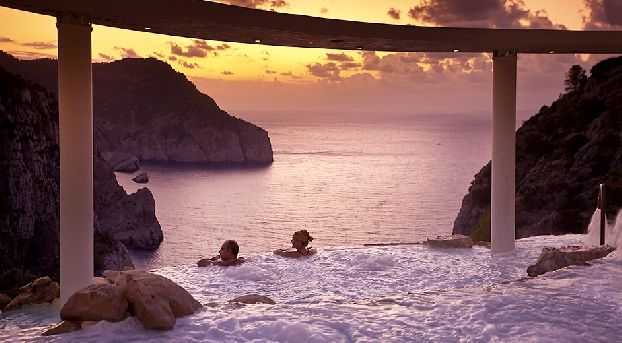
x=213, y=21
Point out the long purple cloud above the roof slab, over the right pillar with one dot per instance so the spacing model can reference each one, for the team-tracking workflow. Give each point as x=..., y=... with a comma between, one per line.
x=481, y=13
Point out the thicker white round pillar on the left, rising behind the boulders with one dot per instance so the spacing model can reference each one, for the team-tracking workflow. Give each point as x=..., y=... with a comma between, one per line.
x=75, y=103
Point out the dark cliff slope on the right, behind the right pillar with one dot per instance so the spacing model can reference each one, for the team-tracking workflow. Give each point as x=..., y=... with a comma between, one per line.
x=562, y=154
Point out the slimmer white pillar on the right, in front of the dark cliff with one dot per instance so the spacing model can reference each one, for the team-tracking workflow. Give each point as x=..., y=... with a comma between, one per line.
x=503, y=152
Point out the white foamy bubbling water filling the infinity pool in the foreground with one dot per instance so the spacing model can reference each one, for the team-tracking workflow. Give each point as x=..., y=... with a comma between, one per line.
x=388, y=294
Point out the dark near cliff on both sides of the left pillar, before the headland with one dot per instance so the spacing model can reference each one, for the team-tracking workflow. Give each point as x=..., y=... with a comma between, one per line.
x=29, y=189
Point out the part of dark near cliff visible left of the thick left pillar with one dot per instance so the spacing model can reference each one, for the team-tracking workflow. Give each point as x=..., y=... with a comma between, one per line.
x=29, y=176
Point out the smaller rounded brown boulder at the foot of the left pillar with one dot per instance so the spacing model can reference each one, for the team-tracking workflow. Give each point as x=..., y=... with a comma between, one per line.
x=102, y=301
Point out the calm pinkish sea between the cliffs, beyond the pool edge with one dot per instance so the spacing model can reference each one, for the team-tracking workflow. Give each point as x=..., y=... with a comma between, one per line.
x=347, y=181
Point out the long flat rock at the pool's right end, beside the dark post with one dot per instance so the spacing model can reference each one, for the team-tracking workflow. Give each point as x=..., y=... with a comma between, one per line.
x=553, y=258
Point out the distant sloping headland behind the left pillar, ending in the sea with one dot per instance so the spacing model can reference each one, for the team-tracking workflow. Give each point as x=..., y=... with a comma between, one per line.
x=145, y=108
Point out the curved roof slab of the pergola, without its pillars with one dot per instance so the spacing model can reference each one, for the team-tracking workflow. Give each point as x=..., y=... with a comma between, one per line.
x=215, y=21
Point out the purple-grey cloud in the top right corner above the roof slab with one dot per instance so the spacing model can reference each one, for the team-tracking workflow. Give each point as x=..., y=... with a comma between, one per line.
x=603, y=15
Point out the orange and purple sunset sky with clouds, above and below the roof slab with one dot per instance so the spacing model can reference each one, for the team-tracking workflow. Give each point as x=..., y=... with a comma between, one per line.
x=242, y=77
